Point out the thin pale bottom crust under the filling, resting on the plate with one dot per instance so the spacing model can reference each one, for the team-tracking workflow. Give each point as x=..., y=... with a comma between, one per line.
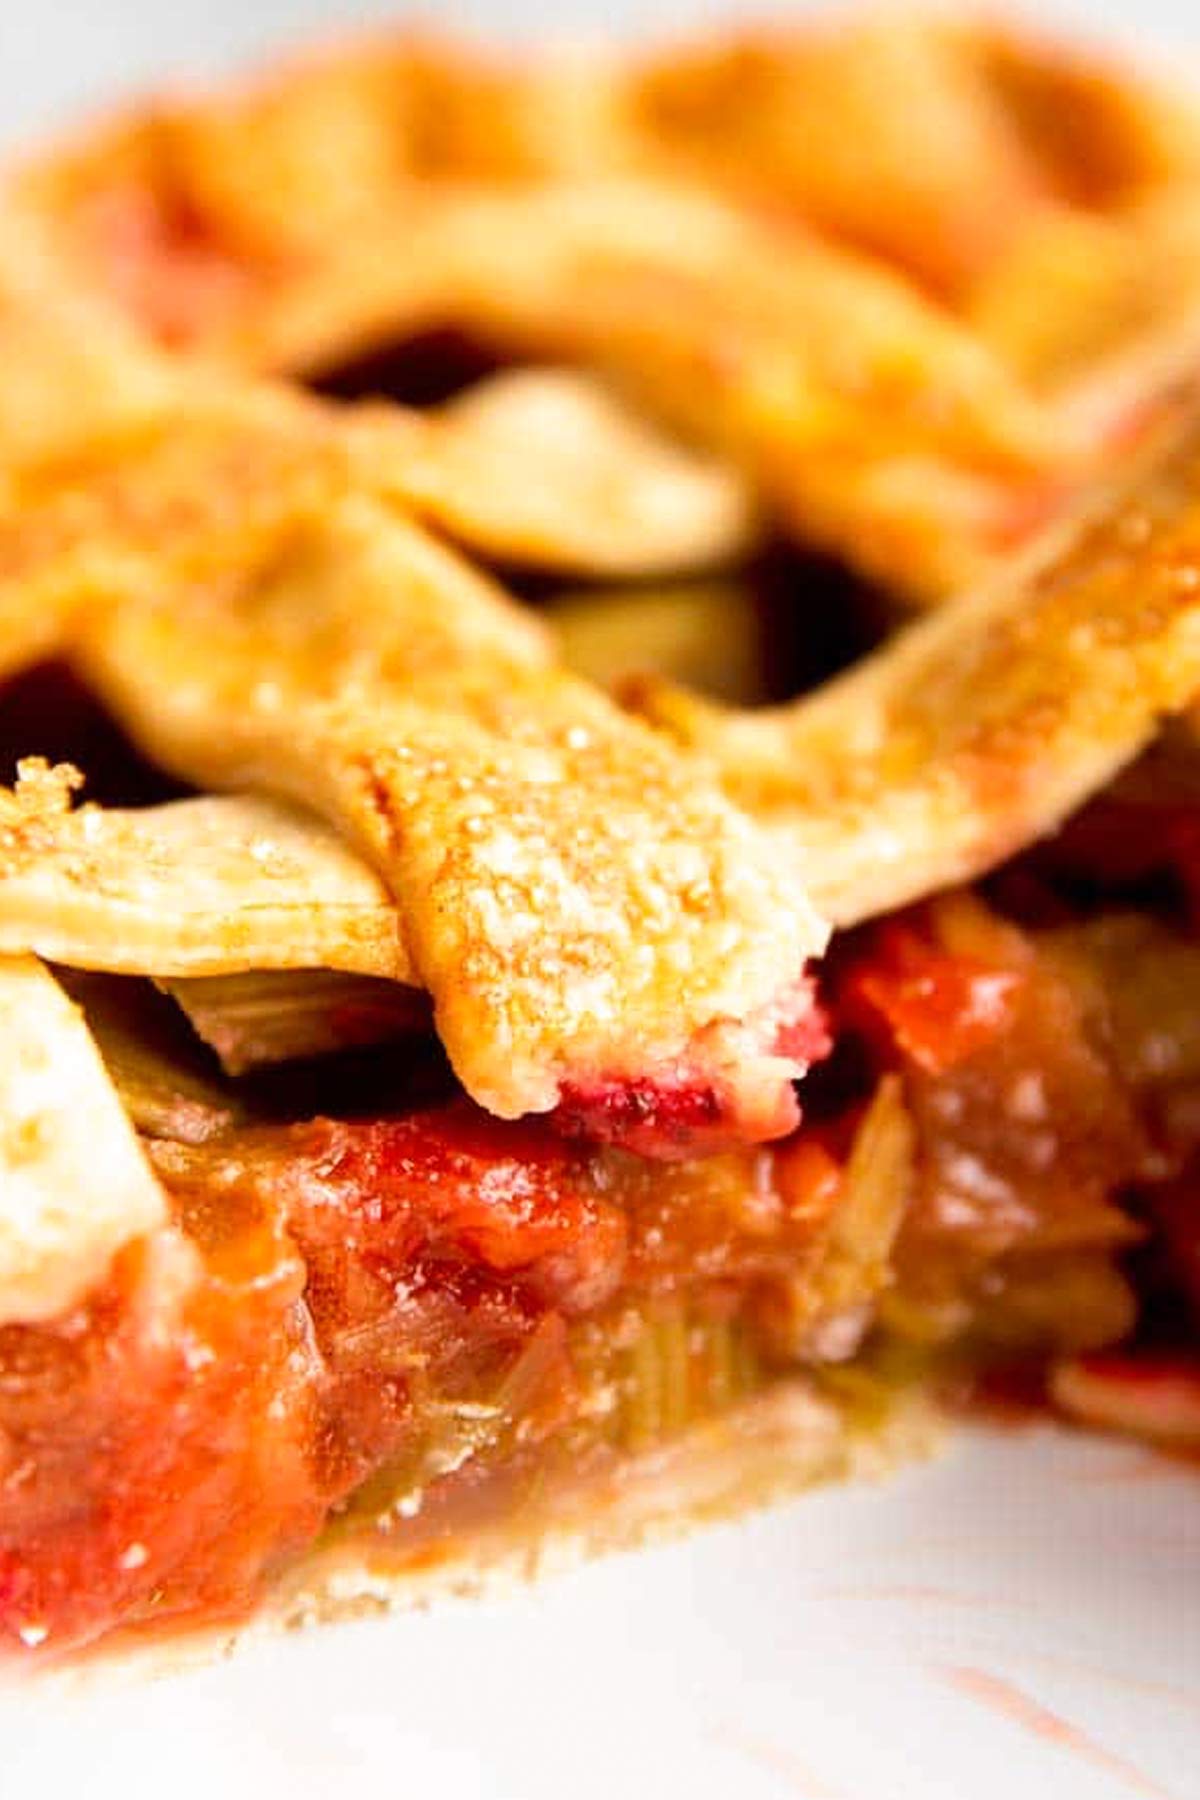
x=766, y=1450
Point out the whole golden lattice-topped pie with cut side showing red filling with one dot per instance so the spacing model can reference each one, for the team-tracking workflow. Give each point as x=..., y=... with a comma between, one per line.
x=463, y=1090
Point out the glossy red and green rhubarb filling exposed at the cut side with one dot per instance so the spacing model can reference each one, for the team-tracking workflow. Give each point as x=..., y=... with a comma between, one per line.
x=397, y=1324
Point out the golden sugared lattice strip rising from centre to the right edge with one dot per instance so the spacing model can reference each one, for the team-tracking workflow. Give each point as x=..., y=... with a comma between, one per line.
x=981, y=728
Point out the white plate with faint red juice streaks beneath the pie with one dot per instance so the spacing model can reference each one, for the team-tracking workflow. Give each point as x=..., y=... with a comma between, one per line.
x=1016, y=1621
